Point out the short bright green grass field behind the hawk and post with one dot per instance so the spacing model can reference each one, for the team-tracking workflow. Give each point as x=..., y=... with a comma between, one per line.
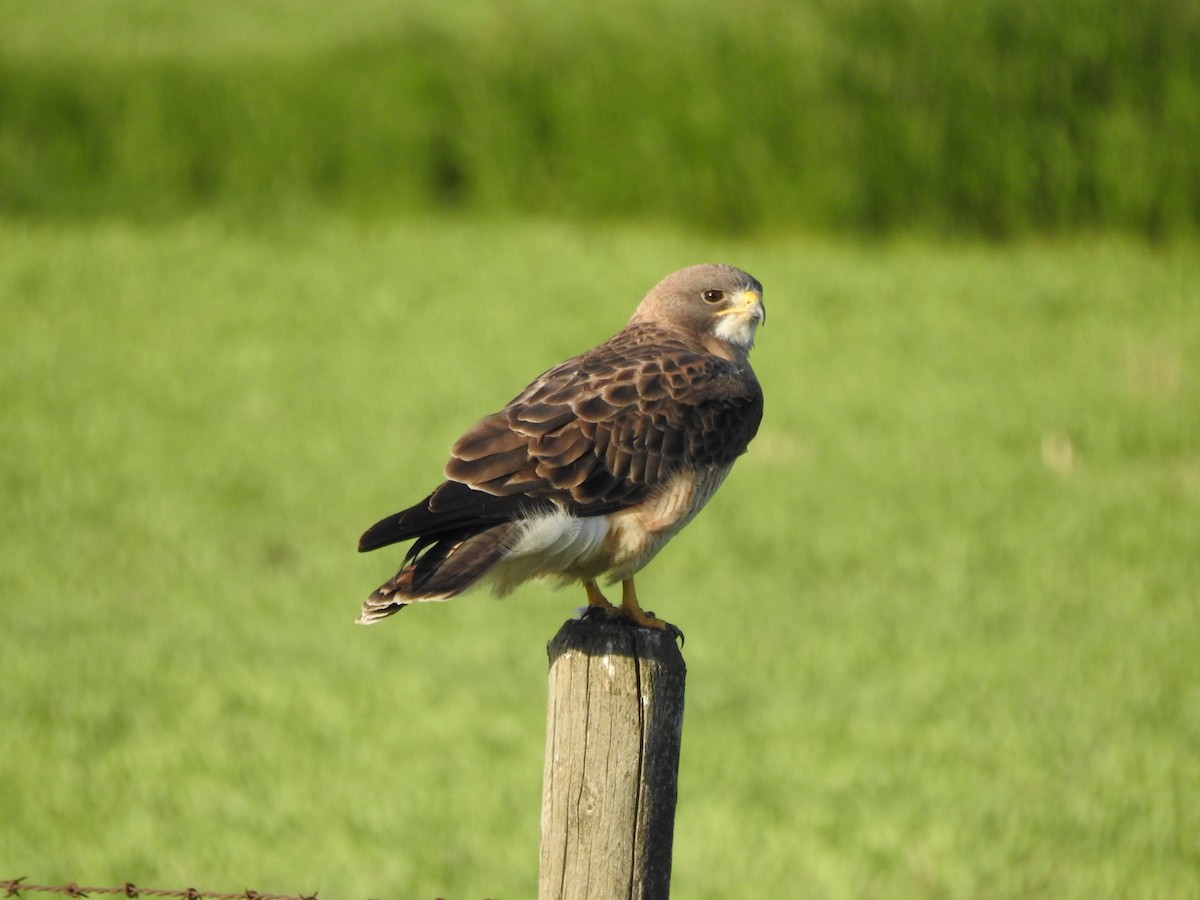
x=944, y=626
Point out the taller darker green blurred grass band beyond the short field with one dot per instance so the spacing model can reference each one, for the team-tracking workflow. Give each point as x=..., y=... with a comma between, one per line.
x=995, y=117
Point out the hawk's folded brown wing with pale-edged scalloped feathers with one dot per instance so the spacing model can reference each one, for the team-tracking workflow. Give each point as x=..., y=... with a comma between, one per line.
x=601, y=431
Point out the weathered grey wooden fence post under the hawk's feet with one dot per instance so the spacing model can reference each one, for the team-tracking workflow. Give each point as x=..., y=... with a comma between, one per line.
x=614, y=727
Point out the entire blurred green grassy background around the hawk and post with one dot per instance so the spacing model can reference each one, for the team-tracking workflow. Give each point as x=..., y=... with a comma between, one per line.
x=256, y=262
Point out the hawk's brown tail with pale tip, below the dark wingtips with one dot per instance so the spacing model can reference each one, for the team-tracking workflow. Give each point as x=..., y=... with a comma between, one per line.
x=439, y=568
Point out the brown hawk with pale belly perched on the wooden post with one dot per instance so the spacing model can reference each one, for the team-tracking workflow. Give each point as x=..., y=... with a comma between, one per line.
x=591, y=470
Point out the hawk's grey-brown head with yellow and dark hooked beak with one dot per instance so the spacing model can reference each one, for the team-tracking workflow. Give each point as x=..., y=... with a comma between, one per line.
x=707, y=299
